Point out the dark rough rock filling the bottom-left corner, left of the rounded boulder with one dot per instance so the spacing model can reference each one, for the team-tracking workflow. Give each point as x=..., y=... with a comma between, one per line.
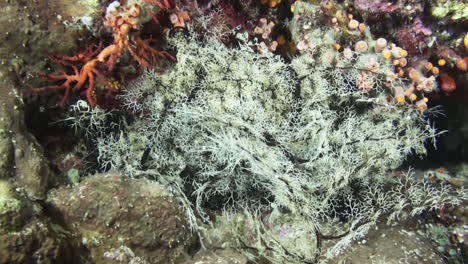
x=26, y=235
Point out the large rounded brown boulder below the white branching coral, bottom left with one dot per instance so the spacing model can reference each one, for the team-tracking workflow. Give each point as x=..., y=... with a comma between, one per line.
x=121, y=219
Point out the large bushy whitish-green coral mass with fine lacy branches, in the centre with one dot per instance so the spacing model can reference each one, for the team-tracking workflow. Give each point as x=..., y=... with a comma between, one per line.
x=245, y=130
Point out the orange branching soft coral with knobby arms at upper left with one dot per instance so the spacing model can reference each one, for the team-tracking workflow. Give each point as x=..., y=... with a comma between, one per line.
x=121, y=20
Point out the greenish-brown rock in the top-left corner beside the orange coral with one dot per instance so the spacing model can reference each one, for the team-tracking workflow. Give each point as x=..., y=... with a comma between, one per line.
x=29, y=30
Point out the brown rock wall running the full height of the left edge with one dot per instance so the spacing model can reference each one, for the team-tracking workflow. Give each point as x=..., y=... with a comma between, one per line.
x=26, y=234
